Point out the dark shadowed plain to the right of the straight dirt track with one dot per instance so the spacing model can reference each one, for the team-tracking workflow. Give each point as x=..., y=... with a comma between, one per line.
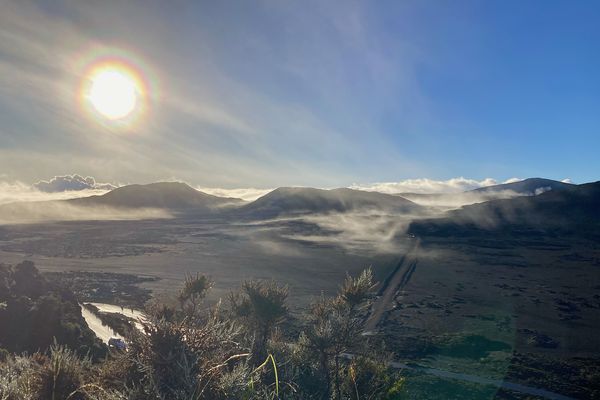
x=522, y=310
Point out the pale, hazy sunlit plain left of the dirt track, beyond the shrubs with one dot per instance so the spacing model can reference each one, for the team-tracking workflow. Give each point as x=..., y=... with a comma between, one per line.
x=227, y=251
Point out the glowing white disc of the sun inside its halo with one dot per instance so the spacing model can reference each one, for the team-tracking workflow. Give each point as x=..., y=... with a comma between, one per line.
x=113, y=94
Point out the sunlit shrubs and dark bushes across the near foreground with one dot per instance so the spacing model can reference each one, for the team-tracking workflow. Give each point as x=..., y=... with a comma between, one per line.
x=242, y=348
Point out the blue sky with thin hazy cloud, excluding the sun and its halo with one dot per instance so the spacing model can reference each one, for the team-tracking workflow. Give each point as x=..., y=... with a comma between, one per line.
x=272, y=93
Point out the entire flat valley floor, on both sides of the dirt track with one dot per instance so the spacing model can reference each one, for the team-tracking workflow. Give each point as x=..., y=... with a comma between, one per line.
x=525, y=310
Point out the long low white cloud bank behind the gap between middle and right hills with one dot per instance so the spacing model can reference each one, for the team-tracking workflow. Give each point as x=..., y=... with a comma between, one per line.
x=424, y=185
